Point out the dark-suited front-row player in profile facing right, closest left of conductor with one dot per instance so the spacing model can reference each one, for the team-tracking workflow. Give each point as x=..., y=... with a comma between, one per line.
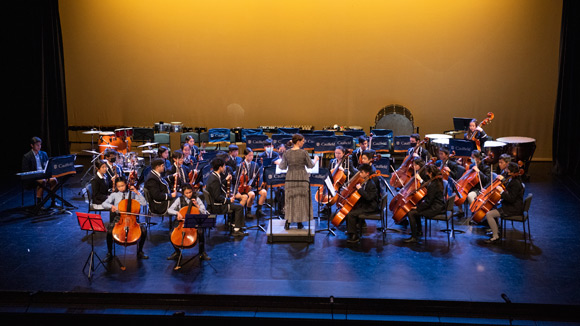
x=217, y=189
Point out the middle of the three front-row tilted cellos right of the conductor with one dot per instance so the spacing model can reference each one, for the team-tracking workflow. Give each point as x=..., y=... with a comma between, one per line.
x=408, y=197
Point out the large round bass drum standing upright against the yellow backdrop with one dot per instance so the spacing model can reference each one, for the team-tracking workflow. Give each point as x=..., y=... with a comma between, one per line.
x=396, y=118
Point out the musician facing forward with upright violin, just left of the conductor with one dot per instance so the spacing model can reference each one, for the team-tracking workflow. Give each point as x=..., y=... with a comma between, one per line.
x=251, y=171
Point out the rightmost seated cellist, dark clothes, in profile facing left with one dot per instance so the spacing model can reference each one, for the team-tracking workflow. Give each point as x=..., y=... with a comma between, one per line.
x=512, y=200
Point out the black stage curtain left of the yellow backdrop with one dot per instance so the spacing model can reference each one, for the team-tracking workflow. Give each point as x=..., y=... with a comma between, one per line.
x=33, y=66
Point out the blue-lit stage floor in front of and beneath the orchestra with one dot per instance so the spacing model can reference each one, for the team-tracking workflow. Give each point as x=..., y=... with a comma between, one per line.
x=327, y=280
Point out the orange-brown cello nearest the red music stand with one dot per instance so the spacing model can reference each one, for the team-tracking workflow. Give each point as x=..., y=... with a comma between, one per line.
x=127, y=231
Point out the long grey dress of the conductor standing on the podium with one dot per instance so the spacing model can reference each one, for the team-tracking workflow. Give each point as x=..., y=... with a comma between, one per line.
x=297, y=207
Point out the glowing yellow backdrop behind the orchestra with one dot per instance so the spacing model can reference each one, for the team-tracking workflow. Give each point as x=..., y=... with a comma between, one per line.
x=246, y=63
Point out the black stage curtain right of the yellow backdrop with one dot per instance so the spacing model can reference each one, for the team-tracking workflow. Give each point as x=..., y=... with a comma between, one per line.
x=566, y=151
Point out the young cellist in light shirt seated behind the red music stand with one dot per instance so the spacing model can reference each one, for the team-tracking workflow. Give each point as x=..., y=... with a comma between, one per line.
x=112, y=203
